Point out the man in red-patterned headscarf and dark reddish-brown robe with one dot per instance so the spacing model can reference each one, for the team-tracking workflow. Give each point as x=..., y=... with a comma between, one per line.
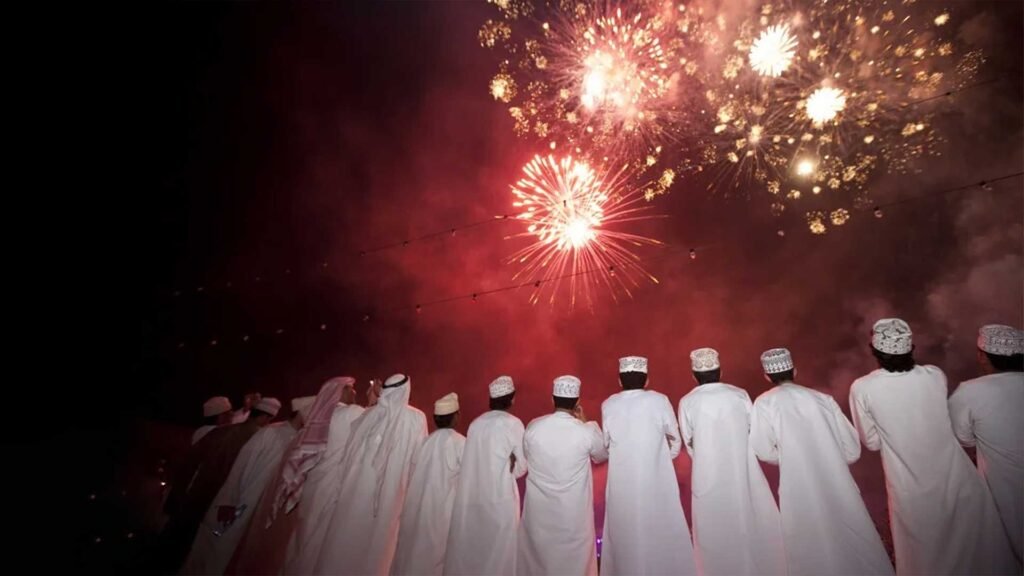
x=275, y=521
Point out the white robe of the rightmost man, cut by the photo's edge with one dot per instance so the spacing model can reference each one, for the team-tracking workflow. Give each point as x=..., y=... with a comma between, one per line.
x=988, y=413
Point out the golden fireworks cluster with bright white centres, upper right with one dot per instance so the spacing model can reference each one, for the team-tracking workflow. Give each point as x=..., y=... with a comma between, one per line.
x=828, y=99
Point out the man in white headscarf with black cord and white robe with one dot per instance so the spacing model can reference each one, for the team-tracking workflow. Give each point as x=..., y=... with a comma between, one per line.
x=364, y=529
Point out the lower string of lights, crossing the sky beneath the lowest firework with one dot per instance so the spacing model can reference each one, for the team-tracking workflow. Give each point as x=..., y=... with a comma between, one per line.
x=693, y=253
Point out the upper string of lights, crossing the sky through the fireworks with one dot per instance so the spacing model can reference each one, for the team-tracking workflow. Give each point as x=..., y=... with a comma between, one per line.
x=454, y=231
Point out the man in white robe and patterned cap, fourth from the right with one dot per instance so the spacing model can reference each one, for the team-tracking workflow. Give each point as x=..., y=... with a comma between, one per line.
x=737, y=526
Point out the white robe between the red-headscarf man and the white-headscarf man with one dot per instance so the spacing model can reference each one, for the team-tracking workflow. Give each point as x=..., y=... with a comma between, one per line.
x=321, y=489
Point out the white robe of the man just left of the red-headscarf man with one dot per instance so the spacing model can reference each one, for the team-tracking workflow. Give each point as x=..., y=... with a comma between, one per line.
x=252, y=470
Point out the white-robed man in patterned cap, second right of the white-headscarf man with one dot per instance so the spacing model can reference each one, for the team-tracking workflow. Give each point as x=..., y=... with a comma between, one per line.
x=486, y=516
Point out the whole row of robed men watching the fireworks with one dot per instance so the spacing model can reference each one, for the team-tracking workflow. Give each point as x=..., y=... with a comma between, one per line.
x=339, y=489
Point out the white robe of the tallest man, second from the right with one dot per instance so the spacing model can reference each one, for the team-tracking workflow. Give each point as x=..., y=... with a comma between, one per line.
x=943, y=516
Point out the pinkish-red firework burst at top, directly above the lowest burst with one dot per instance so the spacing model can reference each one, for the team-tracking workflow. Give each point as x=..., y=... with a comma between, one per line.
x=593, y=78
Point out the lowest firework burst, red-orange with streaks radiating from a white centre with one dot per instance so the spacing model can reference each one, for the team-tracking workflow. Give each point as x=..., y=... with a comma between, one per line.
x=570, y=208
